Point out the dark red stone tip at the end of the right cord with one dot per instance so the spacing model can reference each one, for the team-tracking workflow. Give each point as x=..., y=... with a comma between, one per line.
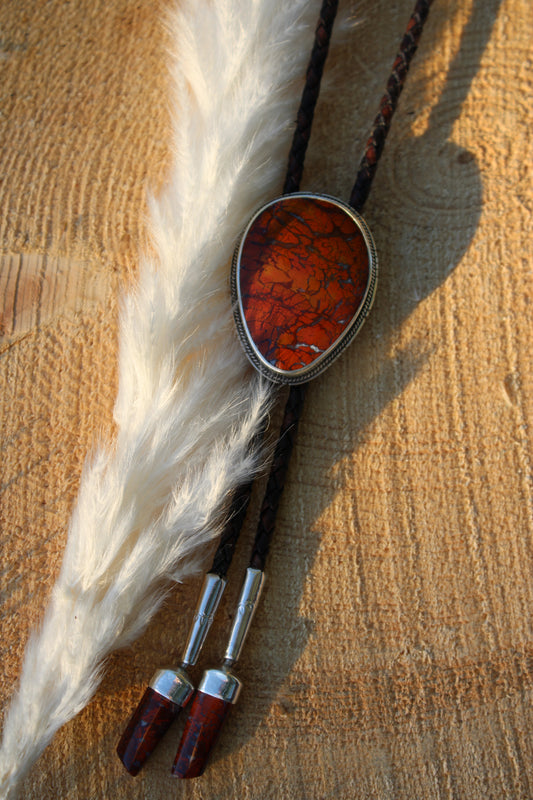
x=200, y=735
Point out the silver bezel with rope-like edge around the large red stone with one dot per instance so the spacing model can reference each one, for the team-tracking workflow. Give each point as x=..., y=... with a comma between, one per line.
x=304, y=374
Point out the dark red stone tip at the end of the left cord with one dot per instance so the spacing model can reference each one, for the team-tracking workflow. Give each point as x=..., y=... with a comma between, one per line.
x=147, y=726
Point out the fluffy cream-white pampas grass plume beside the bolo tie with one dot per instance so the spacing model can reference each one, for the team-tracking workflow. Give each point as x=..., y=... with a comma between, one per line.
x=187, y=404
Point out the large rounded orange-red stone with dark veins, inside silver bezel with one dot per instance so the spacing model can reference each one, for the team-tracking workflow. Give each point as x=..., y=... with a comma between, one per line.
x=304, y=268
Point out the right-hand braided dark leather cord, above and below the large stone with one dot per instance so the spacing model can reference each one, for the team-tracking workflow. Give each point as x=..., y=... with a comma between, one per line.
x=363, y=182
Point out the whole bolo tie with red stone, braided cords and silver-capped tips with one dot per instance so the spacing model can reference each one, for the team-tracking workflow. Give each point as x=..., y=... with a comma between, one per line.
x=303, y=279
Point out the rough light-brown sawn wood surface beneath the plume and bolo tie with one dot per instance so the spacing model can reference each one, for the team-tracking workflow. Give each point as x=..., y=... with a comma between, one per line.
x=392, y=654
